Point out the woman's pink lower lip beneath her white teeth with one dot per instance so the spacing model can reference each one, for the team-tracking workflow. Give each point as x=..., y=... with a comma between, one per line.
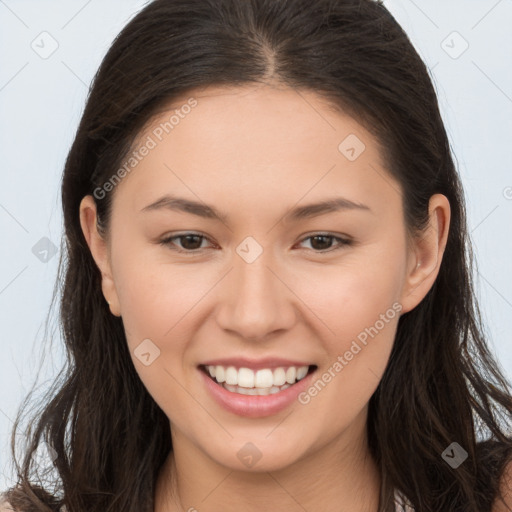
x=255, y=406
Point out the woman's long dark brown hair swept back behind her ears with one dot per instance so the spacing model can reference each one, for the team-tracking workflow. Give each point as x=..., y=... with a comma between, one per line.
x=441, y=385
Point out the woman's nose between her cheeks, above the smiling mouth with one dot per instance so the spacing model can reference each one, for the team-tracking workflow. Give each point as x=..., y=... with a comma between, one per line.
x=257, y=299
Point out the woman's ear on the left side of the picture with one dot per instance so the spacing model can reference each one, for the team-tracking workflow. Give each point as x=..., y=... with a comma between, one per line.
x=98, y=246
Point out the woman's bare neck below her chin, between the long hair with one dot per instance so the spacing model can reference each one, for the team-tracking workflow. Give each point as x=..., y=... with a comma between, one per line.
x=339, y=476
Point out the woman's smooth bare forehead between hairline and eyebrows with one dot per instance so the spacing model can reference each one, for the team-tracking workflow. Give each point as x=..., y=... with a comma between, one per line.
x=256, y=143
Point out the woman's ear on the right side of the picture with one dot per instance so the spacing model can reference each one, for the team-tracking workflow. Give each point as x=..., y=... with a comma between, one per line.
x=426, y=253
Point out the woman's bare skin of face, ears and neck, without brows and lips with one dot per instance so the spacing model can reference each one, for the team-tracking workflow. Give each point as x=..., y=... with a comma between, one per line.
x=256, y=152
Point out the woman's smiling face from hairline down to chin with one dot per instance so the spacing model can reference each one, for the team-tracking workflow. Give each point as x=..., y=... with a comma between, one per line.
x=270, y=283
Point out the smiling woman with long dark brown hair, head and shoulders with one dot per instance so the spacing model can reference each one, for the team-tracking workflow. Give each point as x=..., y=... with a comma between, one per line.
x=267, y=295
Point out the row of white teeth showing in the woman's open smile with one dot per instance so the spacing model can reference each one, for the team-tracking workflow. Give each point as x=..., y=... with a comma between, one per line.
x=264, y=379
